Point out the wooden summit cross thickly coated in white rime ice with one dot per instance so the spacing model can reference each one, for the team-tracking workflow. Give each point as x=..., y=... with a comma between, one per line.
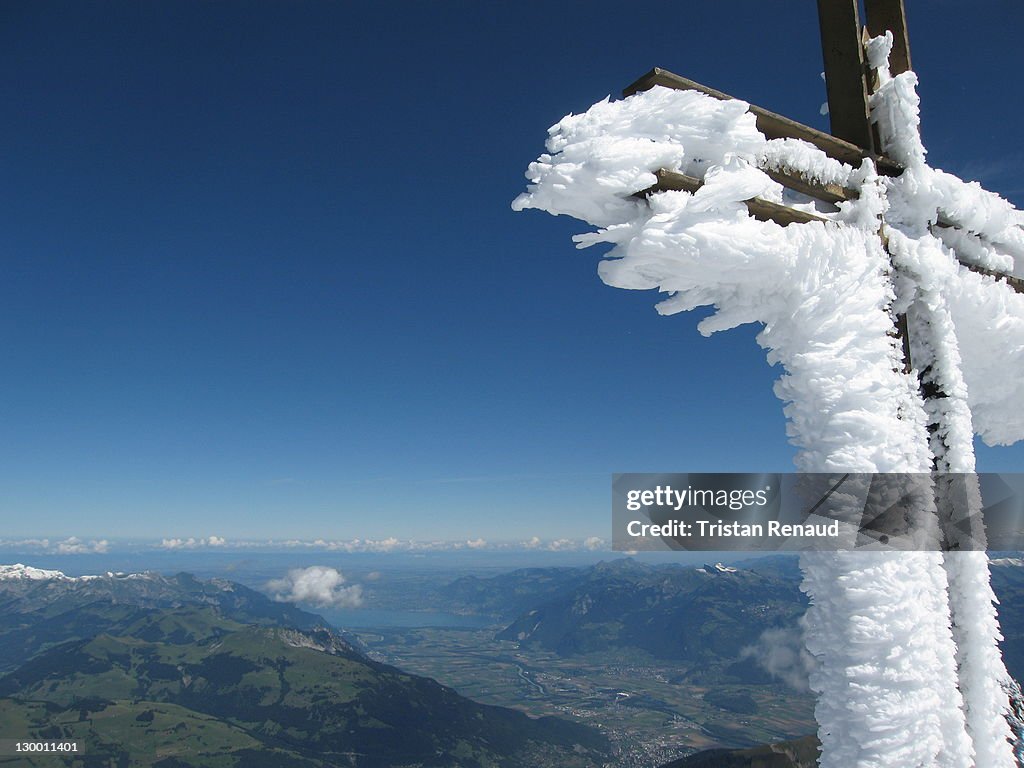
x=890, y=292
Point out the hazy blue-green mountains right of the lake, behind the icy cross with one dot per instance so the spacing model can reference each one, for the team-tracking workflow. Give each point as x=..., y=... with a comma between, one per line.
x=704, y=616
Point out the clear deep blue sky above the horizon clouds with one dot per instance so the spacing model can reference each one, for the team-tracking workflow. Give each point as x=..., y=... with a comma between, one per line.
x=262, y=277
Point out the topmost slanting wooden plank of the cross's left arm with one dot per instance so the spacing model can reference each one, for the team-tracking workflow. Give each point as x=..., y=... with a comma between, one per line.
x=772, y=124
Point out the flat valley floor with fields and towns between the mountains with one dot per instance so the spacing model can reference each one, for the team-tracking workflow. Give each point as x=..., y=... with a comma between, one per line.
x=653, y=711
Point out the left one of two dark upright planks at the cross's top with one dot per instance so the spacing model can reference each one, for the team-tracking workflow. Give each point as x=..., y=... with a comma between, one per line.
x=845, y=74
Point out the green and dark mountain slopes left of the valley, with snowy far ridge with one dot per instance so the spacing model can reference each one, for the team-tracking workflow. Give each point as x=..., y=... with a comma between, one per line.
x=176, y=672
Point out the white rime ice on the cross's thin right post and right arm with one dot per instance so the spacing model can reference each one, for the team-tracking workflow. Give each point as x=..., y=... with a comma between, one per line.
x=934, y=278
